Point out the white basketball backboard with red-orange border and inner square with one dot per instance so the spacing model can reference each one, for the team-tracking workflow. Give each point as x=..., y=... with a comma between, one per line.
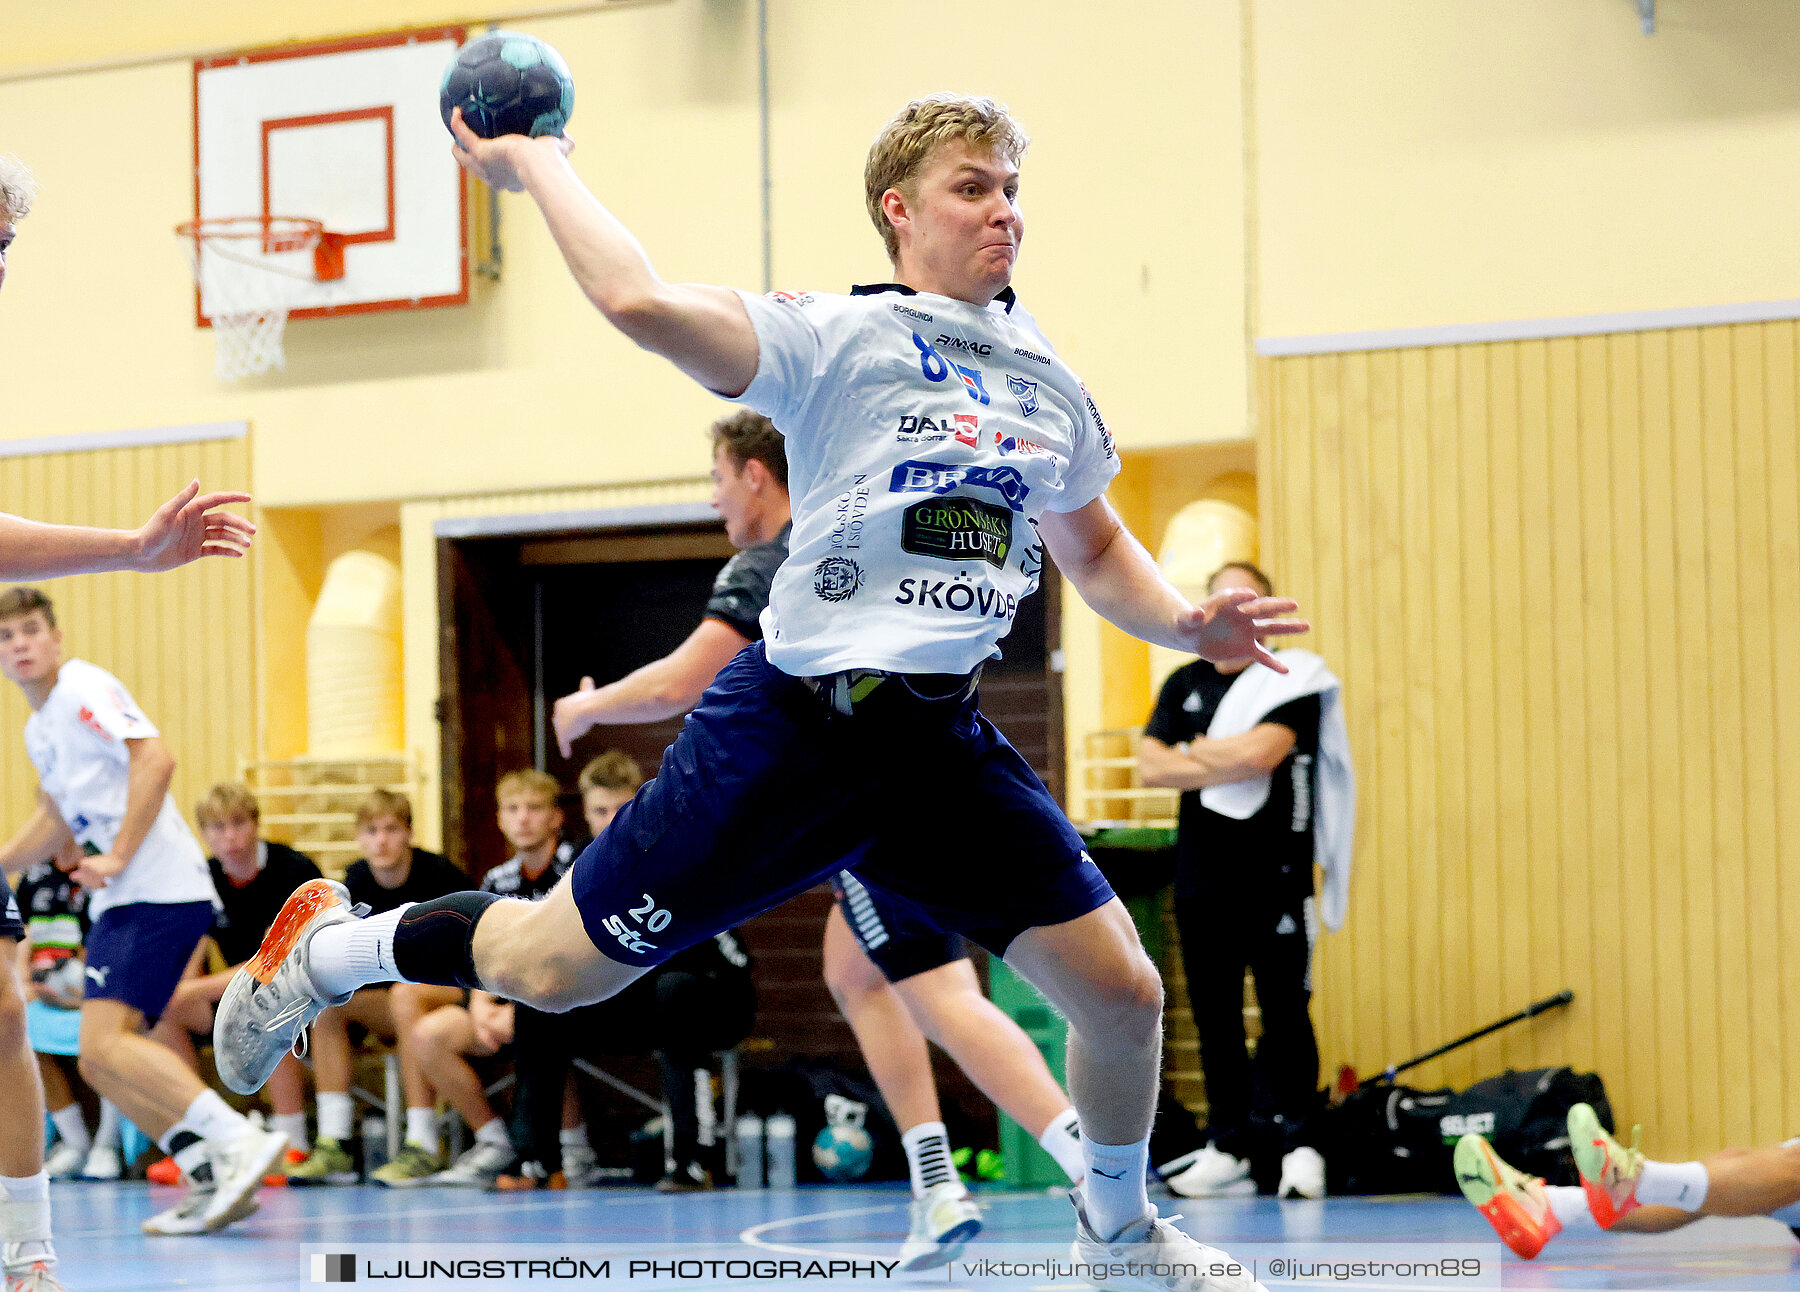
x=348, y=134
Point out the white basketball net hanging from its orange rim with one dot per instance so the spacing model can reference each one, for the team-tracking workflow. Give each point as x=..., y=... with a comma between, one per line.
x=251, y=273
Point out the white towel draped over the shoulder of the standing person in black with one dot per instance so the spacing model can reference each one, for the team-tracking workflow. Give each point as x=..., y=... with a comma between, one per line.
x=1254, y=697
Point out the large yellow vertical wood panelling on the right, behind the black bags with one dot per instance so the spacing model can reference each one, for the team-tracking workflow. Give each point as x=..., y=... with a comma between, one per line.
x=1560, y=582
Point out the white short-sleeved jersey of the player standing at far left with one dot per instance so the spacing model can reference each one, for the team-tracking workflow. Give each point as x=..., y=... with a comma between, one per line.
x=78, y=744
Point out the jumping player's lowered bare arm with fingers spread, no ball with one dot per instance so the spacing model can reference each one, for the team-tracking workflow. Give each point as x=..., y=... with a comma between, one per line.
x=1119, y=579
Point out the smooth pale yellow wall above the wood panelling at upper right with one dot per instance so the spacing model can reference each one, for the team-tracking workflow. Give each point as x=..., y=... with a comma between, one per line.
x=1425, y=163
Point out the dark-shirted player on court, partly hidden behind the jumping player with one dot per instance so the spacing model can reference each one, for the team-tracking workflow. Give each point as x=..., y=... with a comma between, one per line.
x=888, y=967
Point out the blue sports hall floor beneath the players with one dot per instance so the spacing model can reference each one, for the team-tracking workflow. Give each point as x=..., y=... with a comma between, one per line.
x=103, y=1250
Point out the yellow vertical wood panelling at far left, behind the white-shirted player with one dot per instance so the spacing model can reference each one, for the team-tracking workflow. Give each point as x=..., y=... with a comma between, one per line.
x=183, y=643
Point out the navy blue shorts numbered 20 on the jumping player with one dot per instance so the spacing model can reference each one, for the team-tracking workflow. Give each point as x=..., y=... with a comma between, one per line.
x=768, y=791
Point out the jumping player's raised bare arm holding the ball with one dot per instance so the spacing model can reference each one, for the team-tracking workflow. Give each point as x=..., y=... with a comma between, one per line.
x=703, y=330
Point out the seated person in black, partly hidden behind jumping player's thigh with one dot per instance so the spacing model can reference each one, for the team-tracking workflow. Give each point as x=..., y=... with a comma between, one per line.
x=688, y=1007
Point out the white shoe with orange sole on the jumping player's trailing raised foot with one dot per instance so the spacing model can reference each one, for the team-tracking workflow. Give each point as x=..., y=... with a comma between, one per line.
x=273, y=1000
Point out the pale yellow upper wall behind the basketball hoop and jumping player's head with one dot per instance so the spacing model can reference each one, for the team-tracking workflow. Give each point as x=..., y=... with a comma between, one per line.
x=526, y=388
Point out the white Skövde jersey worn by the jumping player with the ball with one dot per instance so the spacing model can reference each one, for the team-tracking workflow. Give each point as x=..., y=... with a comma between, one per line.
x=924, y=436
